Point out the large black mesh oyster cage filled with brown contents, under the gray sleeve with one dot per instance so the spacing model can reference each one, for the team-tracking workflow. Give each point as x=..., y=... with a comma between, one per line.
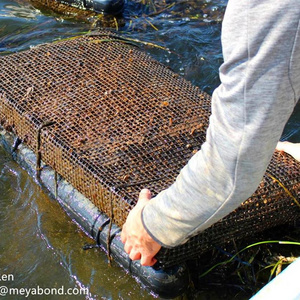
x=111, y=120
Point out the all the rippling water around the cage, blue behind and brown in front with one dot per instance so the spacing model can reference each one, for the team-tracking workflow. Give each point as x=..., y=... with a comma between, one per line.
x=39, y=244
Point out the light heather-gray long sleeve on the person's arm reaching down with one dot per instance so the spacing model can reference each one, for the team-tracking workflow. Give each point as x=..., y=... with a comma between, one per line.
x=260, y=85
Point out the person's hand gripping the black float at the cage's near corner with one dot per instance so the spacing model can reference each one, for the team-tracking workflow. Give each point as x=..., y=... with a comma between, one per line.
x=138, y=244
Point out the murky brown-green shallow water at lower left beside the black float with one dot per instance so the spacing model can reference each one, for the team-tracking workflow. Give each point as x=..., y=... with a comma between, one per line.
x=42, y=247
